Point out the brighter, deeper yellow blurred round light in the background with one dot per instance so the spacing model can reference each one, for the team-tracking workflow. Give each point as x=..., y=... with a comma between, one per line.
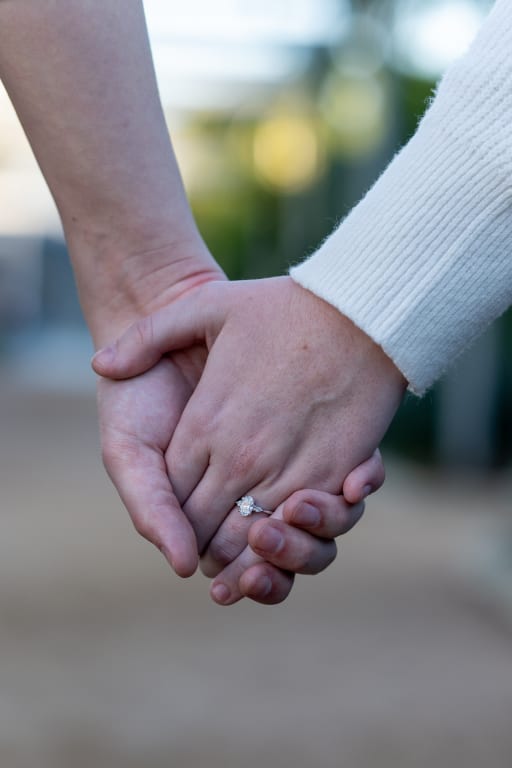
x=286, y=152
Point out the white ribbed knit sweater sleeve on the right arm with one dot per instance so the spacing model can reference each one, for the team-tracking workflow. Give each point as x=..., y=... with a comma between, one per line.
x=424, y=262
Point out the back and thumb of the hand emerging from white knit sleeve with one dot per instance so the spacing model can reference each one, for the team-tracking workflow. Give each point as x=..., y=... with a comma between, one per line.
x=292, y=395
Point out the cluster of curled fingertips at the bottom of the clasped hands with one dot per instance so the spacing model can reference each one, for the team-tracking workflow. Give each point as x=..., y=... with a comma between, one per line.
x=297, y=538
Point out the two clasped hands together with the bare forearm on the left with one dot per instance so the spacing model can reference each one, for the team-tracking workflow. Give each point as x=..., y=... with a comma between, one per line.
x=223, y=389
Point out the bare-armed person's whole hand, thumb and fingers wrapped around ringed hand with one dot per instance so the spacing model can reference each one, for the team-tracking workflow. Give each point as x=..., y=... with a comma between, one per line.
x=137, y=418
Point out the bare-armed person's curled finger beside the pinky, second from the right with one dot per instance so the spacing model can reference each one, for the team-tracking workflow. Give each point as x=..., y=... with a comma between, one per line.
x=323, y=514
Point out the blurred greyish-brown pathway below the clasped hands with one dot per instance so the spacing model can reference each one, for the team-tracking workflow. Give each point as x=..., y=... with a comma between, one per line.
x=399, y=656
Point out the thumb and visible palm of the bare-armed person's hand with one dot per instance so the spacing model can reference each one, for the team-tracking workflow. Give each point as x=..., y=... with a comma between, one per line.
x=137, y=420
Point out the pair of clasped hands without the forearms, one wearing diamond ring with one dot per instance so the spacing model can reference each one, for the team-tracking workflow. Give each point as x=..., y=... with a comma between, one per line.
x=283, y=394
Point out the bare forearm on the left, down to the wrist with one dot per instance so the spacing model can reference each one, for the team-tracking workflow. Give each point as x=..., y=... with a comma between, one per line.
x=81, y=78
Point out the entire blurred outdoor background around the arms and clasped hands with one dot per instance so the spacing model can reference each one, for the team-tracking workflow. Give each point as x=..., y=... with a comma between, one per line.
x=282, y=115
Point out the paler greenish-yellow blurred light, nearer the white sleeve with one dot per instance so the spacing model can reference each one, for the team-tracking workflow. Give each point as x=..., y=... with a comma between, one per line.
x=355, y=110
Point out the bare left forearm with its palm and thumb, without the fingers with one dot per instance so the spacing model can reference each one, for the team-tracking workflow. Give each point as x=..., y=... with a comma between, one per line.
x=81, y=78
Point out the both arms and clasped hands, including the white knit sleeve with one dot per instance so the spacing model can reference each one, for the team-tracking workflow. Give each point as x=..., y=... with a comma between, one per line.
x=254, y=388
